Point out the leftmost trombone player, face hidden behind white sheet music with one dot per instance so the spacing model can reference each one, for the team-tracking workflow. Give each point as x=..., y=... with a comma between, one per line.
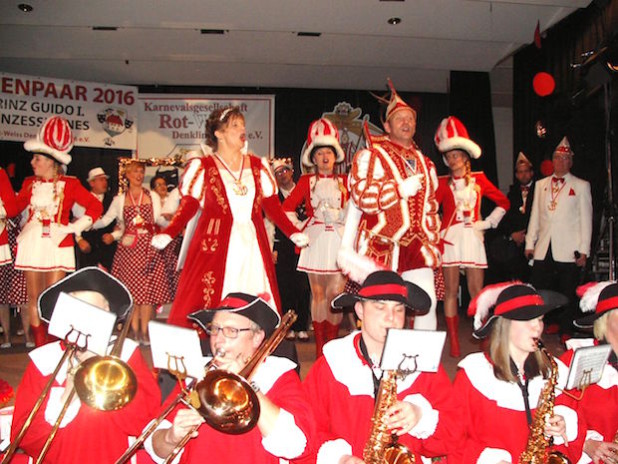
x=85, y=434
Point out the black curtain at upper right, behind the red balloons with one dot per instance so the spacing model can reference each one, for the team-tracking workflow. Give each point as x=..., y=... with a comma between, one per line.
x=577, y=106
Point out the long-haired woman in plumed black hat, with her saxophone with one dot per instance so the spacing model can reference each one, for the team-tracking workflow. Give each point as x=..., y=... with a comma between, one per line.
x=499, y=391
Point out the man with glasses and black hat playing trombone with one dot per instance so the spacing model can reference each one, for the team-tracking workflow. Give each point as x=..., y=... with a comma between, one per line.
x=285, y=426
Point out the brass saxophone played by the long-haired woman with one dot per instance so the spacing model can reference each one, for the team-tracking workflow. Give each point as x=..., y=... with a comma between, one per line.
x=537, y=448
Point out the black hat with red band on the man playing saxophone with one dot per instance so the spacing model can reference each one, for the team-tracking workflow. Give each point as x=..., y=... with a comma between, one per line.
x=387, y=286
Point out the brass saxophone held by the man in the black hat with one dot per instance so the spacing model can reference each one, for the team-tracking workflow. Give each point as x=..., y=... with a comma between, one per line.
x=382, y=446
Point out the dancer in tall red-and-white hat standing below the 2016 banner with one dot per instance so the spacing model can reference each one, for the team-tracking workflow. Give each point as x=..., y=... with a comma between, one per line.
x=45, y=245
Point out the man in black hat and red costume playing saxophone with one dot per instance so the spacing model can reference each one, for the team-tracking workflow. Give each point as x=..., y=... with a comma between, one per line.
x=342, y=384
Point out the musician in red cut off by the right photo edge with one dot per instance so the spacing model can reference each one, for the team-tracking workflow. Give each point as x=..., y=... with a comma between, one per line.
x=599, y=405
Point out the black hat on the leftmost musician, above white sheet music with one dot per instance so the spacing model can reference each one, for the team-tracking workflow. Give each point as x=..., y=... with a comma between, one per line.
x=87, y=279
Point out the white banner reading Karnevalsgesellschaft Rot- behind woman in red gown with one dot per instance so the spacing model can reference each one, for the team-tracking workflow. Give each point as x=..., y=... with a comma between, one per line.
x=173, y=125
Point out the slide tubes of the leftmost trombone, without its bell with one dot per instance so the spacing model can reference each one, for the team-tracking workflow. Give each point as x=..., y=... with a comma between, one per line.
x=72, y=346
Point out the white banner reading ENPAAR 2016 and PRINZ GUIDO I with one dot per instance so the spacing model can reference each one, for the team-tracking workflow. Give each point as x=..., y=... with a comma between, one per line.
x=101, y=115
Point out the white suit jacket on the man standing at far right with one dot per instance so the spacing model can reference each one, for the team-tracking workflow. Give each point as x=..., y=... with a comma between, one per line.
x=568, y=228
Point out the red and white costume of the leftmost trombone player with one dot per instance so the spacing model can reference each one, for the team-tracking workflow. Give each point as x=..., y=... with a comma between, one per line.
x=85, y=434
